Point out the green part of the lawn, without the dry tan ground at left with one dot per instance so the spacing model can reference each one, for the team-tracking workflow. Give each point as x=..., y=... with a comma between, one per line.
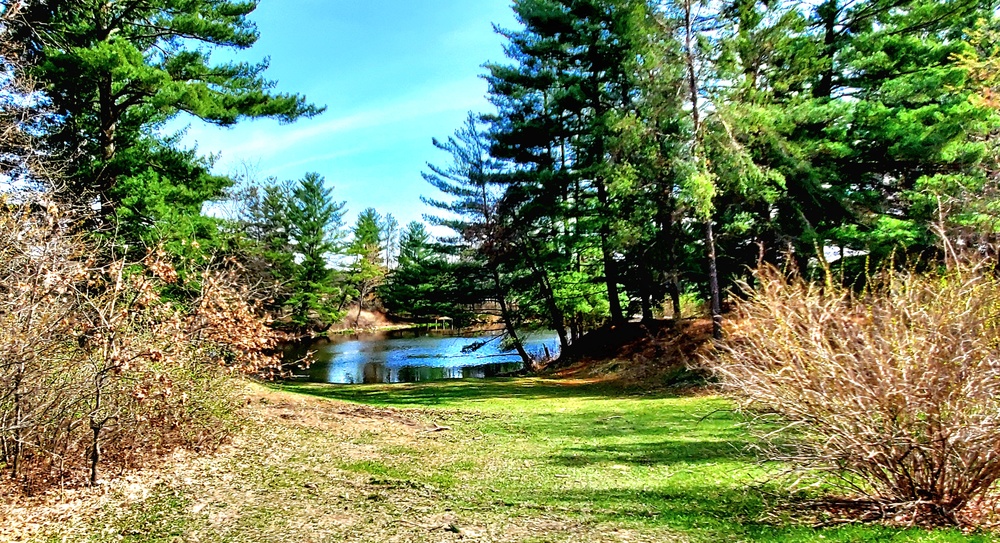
x=605, y=455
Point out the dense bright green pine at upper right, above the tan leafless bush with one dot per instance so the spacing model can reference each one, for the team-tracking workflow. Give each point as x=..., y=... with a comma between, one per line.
x=863, y=110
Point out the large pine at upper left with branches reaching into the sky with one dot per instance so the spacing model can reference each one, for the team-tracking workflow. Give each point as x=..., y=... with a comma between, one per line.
x=116, y=71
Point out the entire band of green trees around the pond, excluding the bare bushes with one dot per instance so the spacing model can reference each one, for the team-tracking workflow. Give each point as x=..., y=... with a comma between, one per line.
x=640, y=153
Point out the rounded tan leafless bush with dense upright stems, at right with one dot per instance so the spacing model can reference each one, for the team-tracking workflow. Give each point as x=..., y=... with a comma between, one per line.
x=896, y=392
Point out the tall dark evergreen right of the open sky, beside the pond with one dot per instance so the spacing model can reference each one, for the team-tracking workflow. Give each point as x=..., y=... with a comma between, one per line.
x=560, y=109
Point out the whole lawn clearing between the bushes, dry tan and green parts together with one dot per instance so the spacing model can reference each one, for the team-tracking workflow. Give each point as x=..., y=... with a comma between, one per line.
x=502, y=460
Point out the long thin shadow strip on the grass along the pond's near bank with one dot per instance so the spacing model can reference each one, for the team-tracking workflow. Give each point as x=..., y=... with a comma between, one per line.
x=443, y=393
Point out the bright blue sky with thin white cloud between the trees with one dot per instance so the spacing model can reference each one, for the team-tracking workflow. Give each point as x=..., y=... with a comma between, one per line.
x=392, y=73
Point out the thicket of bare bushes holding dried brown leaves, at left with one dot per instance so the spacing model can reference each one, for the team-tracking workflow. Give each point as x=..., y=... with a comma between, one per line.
x=97, y=369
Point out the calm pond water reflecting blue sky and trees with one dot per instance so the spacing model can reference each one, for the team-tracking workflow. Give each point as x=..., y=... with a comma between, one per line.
x=411, y=356
